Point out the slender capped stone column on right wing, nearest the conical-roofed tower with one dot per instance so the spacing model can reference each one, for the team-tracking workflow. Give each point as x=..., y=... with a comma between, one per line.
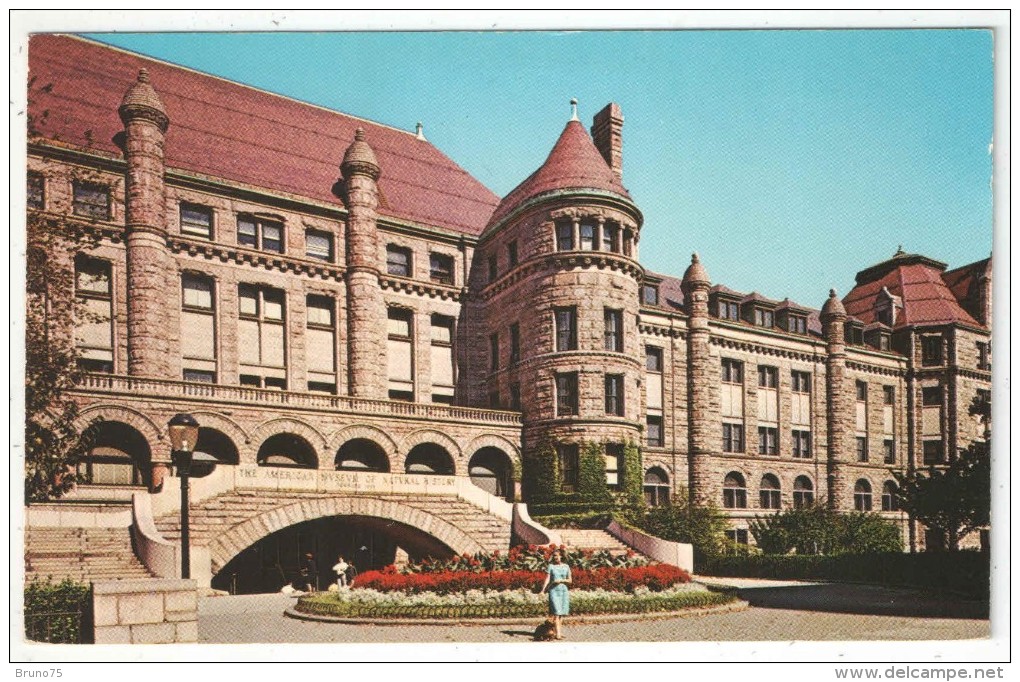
x=701, y=440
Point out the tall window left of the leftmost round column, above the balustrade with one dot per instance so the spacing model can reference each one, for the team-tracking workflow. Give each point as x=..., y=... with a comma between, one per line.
x=94, y=332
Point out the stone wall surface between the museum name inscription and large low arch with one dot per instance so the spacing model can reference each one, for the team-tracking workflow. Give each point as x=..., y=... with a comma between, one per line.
x=213, y=517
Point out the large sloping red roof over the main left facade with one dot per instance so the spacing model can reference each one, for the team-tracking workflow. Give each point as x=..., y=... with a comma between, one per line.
x=227, y=131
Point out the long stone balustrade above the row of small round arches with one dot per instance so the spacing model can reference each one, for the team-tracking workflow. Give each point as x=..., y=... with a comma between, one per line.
x=138, y=387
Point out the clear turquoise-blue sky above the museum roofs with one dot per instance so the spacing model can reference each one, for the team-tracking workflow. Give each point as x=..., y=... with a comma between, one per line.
x=789, y=160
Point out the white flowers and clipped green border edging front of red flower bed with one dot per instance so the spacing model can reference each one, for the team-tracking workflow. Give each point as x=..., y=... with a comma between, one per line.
x=512, y=604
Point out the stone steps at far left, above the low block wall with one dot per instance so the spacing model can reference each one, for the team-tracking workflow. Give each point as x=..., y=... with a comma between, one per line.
x=83, y=555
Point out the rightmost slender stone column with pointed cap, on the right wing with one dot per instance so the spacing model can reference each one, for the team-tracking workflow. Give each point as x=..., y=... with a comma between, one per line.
x=840, y=417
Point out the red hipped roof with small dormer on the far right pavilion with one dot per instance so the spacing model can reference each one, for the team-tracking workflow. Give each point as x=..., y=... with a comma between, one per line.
x=919, y=281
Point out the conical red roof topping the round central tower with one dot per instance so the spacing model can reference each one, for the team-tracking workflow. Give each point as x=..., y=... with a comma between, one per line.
x=575, y=164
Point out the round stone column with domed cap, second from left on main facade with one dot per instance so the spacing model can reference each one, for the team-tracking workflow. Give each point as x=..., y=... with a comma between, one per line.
x=367, y=319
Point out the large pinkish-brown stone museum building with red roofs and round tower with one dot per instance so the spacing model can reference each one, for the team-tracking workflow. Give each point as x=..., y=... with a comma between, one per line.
x=334, y=298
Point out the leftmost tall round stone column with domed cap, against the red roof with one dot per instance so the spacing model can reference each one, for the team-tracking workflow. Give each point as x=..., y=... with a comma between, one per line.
x=150, y=268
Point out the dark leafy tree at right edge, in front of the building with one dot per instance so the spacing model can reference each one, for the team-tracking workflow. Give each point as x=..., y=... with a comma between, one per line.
x=956, y=500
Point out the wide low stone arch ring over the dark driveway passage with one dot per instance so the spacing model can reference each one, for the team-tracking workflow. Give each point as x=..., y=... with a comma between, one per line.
x=231, y=544
